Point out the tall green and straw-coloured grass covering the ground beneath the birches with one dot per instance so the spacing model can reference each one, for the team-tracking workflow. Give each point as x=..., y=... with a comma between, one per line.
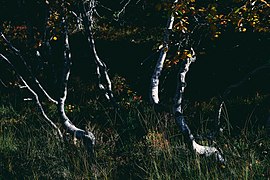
x=135, y=142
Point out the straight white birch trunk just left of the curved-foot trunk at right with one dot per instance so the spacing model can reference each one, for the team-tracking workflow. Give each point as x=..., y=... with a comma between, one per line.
x=154, y=89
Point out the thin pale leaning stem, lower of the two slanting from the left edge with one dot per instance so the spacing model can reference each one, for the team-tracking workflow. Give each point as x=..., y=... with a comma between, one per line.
x=35, y=95
